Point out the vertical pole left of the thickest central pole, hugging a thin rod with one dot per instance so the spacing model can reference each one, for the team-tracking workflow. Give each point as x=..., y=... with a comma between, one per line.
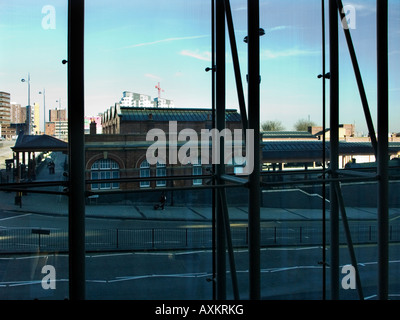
x=220, y=125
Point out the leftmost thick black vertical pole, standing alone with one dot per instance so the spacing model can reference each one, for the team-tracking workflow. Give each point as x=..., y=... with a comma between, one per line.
x=76, y=203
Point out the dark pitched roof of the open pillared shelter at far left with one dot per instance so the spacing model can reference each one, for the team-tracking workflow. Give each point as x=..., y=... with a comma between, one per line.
x=39, y=143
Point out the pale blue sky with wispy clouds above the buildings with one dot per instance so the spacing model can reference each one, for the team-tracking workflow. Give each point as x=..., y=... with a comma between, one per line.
x=132, y=45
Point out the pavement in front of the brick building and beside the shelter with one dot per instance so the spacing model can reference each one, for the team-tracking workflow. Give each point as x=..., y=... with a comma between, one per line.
x=58, y=205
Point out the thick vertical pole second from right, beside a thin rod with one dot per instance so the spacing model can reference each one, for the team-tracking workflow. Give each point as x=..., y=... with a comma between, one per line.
x=334, y=145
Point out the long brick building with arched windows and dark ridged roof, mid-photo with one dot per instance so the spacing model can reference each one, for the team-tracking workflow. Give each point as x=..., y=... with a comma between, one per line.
x=120, y=152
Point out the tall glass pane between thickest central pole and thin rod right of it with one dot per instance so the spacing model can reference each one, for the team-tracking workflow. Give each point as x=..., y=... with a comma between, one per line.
x=291, y=214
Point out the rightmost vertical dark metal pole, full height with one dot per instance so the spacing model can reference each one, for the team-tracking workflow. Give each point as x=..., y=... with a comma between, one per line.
x=383, y=182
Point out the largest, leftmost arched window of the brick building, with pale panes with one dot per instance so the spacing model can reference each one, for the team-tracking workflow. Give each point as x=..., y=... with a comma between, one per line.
x=104, y=169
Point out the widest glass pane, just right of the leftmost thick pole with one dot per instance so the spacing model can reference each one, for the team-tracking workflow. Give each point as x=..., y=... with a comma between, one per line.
x=154, y=74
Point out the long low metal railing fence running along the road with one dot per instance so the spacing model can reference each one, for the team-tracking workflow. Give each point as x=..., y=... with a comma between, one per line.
x=56, y=240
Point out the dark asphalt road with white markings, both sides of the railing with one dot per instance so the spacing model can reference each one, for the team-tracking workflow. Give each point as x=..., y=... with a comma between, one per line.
x=287, y=272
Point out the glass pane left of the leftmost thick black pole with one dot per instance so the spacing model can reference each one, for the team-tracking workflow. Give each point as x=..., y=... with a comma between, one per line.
x=33, y=159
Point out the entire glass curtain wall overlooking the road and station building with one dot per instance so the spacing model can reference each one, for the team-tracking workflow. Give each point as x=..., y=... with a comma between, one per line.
x=150, y=206
